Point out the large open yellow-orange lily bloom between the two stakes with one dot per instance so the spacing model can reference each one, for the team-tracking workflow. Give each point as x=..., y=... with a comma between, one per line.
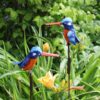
x=48, y=80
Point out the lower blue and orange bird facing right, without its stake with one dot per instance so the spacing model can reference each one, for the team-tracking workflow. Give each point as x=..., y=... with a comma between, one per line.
x=31, y=59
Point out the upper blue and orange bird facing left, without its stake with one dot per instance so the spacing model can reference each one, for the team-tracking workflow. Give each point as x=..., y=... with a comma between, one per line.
x=69, y=31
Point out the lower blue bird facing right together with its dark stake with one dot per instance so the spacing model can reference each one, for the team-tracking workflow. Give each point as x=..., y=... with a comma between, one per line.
x=29, y=62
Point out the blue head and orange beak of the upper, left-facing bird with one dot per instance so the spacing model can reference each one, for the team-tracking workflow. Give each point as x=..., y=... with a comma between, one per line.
x=66, y=22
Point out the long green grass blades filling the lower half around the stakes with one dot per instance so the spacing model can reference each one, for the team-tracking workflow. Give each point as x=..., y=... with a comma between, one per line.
x=14, y=83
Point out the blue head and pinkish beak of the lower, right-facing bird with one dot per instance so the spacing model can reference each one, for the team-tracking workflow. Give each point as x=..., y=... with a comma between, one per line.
x=36, y=51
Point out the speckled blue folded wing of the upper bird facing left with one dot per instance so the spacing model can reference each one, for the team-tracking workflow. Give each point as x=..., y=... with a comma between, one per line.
x=72, y=37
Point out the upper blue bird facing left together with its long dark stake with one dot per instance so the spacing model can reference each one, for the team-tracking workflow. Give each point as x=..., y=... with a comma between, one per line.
x=70, y=37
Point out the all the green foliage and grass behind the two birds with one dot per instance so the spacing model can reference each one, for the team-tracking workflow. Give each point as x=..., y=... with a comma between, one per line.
x=22, y=26
